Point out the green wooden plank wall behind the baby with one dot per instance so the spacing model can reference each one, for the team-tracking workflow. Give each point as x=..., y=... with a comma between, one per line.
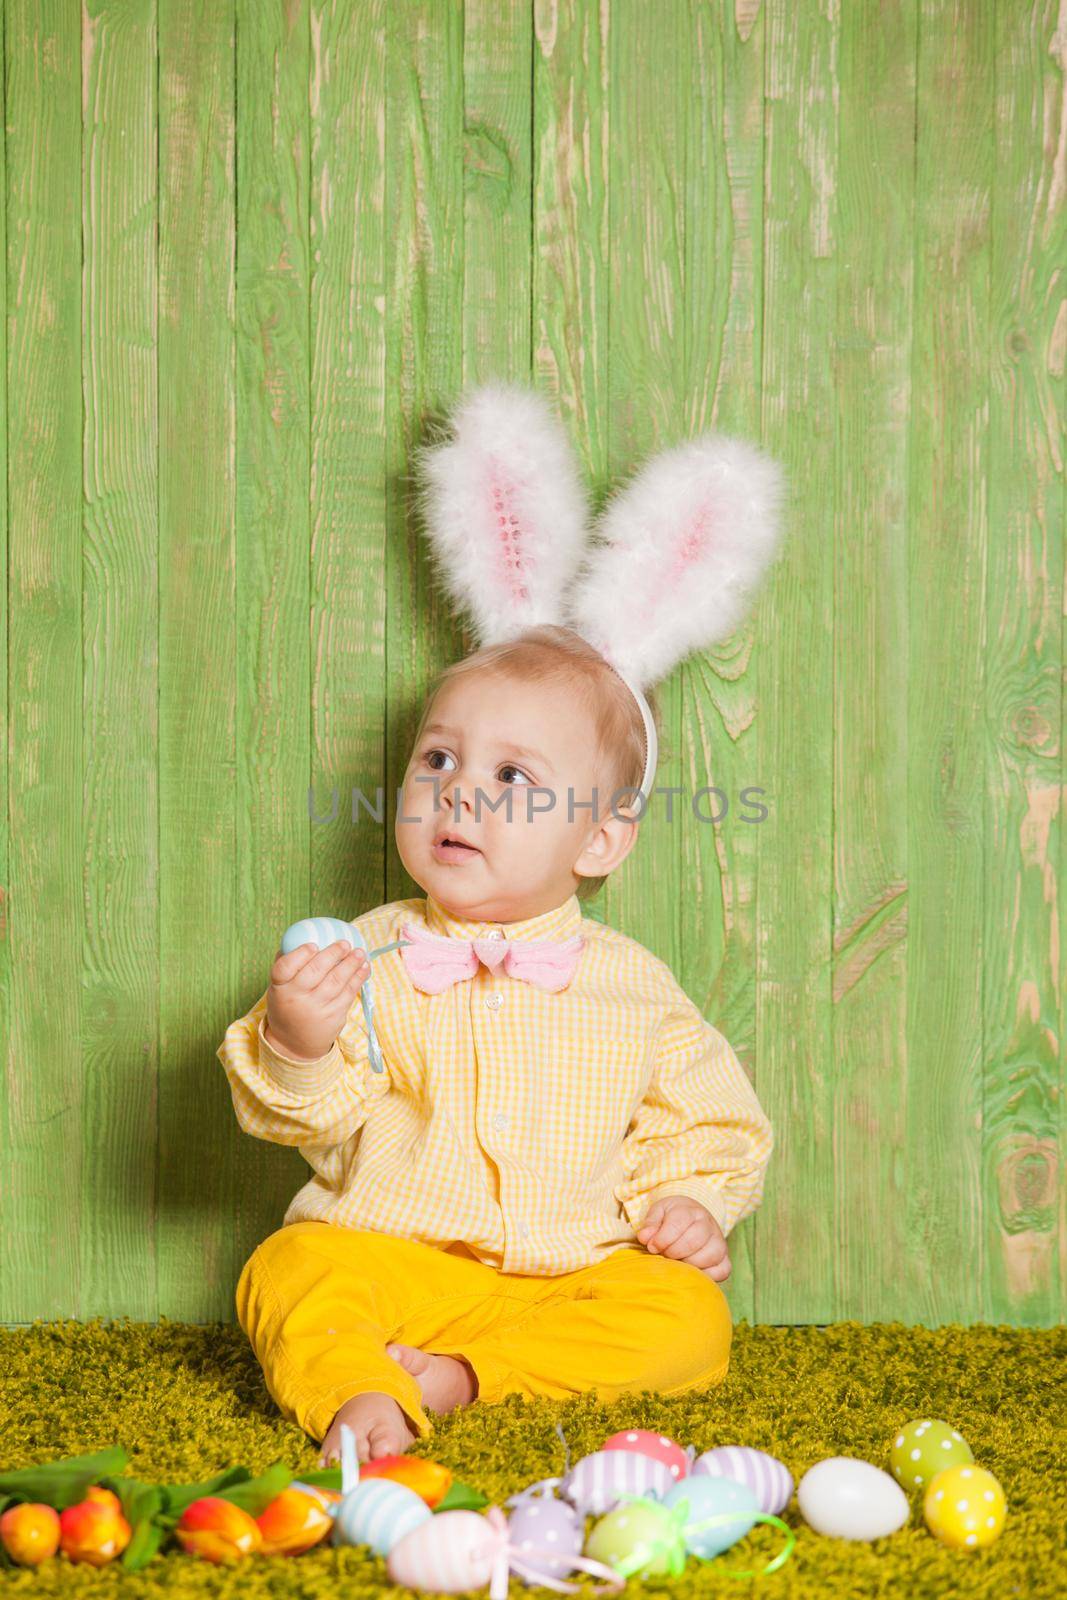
x=254, y=249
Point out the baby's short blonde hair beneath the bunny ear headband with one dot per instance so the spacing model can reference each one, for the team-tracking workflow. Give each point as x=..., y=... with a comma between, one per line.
x=551, y=654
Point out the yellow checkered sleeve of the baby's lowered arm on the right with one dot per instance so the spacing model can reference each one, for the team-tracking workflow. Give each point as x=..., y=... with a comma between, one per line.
x=700, y=1130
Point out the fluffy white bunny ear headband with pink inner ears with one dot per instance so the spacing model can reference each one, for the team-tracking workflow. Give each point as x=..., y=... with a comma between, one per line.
x=681, y=548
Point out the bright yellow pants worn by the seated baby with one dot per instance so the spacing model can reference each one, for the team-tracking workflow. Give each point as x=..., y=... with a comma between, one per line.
x=321, y=1302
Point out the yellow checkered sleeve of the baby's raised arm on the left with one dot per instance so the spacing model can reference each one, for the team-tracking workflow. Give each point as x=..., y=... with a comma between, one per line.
x=300, y=1103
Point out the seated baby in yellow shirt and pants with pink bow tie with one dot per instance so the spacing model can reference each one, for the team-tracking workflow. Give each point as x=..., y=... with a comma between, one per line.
x=535, y=1194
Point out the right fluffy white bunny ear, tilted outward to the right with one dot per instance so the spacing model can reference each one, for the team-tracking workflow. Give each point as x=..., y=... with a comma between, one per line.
x=687, y=543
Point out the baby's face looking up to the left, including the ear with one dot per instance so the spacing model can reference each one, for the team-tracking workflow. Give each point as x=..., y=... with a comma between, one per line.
x=489, y=742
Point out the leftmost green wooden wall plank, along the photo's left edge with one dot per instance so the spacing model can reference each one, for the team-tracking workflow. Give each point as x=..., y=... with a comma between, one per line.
x=46, y=1186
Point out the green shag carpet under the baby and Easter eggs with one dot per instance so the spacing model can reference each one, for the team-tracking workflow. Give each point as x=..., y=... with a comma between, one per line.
x=190, y=1401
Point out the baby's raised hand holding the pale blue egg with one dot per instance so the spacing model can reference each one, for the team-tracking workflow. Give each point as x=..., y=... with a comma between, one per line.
x=311, y=994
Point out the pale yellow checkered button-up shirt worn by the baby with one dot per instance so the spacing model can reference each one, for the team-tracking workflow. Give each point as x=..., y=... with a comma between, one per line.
x=535, y=1127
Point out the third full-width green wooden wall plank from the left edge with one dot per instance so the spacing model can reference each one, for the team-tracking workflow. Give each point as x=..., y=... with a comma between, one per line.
x=201, y=822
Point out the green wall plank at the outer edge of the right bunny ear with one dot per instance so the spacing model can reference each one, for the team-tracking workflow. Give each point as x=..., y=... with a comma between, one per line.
x=796, y=665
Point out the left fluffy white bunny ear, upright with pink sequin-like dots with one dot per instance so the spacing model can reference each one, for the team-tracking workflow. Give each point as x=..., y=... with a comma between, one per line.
x=505, y=511
